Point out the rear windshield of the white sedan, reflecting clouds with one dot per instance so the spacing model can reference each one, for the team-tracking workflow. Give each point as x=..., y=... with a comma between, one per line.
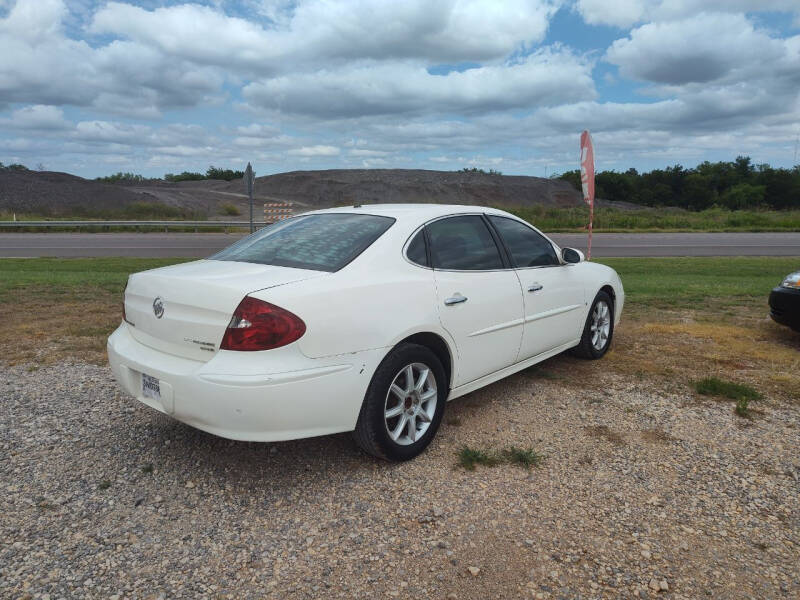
x=325, y=242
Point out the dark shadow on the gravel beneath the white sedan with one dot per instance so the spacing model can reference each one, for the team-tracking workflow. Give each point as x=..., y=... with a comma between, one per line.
x=184, y=453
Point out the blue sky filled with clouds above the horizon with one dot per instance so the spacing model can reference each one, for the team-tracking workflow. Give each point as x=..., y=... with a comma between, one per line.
x=155, y=87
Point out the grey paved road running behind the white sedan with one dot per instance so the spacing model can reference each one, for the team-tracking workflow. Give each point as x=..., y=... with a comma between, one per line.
x=204, y=244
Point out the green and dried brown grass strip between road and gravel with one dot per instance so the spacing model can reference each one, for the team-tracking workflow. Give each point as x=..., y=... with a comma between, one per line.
x=685, y=319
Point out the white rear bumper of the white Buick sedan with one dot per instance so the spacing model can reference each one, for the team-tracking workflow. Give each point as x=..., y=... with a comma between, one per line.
x=254, y=396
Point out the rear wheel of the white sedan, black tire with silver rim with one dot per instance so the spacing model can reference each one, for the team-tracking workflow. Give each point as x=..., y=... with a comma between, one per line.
x=404, y=404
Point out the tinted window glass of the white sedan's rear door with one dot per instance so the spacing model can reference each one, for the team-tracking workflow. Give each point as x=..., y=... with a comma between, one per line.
x=463, y=244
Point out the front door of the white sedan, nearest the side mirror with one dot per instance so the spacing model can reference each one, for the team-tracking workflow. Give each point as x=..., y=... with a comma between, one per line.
x=553, y=292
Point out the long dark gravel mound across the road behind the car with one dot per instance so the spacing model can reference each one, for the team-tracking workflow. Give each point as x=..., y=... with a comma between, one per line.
x=61, y=194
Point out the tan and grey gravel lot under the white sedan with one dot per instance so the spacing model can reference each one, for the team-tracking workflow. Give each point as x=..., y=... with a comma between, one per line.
x=642, y=493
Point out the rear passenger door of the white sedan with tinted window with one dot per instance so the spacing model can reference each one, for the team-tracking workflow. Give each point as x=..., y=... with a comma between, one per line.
x=479, y=295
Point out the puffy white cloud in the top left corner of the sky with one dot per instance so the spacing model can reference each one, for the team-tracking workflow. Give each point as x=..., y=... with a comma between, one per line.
x=40, y=64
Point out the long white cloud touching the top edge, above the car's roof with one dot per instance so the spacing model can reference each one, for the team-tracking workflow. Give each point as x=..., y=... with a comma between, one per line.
x=321, y=31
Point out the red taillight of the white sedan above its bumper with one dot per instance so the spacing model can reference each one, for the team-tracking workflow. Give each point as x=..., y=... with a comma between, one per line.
x=259, y=325
